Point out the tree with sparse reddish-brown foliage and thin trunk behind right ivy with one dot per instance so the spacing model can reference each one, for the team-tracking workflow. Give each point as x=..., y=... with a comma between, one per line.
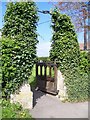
x=79, y=13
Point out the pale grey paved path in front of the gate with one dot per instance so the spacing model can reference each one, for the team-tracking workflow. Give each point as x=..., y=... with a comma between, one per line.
x=48, y=106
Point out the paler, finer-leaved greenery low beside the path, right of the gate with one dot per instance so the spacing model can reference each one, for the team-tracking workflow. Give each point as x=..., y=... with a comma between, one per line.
x=78, y=88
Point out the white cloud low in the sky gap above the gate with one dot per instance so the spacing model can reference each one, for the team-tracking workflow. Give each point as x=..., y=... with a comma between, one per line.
x=43, y=49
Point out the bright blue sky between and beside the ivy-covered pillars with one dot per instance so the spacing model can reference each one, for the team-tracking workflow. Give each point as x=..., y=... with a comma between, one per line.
x=44, y=30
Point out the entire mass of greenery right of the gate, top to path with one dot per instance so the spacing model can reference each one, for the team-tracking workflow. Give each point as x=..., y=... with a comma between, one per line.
x=65, y=51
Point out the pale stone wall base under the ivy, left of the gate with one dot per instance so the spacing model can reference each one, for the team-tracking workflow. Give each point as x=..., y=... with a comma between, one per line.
x=24, y=96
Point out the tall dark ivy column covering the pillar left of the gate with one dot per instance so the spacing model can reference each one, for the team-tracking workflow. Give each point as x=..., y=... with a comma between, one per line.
x=19, y=25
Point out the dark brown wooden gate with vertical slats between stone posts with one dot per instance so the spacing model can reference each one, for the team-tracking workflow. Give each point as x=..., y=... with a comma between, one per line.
x=46, y=76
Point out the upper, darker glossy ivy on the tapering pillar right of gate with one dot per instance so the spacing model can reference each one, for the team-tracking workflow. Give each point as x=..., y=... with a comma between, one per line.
x=64, y=47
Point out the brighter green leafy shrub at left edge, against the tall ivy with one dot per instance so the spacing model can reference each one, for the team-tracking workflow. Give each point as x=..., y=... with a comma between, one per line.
x=9, y=69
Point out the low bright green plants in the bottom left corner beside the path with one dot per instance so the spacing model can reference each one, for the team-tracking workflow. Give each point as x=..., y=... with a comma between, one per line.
x=14, y=111
